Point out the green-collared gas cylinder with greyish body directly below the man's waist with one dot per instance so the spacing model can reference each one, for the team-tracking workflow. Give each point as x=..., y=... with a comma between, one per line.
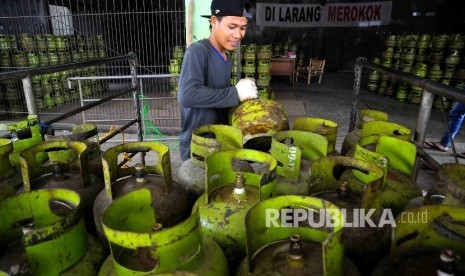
x=206, y=140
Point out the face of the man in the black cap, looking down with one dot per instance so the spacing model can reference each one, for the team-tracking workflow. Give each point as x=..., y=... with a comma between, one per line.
x=228, y=32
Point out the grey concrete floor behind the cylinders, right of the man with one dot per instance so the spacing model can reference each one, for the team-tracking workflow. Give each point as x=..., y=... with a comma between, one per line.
x=332, y=100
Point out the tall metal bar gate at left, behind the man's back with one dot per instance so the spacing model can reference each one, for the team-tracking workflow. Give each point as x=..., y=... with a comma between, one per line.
x=49, y=32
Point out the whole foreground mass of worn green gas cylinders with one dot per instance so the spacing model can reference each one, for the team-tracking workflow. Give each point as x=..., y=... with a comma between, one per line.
x=260, y=196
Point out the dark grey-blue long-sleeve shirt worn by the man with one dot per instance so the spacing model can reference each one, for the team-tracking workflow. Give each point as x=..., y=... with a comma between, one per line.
x=204, y=93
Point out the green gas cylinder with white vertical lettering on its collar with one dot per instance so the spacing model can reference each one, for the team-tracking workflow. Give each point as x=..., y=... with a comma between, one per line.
x=295, y=151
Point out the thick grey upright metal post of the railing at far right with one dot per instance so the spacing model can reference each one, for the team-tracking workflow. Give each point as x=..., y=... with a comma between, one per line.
x=422, y=125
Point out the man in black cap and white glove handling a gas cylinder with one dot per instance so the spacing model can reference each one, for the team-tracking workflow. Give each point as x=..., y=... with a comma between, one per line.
x=205, y=93
